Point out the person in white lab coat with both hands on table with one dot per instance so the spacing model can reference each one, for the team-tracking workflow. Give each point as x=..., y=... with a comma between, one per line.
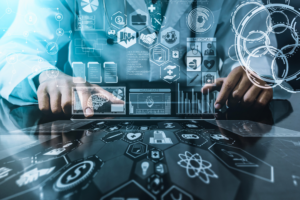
x=30, y=49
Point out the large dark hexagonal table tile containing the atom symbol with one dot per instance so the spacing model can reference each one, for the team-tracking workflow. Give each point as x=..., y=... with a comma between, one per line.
x=191, y=168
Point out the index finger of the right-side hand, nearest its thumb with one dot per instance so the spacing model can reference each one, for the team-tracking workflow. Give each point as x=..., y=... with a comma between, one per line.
x=227, y=87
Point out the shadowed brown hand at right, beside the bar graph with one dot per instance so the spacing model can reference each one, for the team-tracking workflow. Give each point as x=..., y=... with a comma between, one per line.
x=237, y=90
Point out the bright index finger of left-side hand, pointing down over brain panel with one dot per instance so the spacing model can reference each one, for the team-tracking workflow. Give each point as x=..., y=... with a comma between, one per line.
x=84, y=94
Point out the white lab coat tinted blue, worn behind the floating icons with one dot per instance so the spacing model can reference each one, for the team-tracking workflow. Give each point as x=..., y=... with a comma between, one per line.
x=16, y=80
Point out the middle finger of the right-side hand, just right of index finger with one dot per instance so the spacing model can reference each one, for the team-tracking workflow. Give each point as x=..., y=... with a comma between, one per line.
x=239, y=92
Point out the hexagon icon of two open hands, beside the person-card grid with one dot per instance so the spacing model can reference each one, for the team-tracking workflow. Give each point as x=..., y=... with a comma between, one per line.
x=170, y=73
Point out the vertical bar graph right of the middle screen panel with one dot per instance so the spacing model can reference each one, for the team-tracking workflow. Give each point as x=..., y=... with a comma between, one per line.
x=194, y=102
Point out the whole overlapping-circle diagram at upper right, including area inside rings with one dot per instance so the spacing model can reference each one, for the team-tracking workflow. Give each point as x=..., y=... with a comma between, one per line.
x=262, y=45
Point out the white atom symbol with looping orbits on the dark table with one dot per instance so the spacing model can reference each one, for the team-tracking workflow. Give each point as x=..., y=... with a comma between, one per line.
x=196, y=167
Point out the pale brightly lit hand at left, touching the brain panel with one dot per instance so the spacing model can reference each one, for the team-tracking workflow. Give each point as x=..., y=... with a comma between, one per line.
x=55, y=95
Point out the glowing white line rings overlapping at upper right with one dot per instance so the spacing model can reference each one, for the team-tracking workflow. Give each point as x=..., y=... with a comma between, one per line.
x=265, y=49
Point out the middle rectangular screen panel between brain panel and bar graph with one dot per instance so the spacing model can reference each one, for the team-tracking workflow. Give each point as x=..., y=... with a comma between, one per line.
x=150, y=102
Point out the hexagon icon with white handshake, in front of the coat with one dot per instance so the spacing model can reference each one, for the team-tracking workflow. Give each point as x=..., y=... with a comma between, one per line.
x=148, y=37
